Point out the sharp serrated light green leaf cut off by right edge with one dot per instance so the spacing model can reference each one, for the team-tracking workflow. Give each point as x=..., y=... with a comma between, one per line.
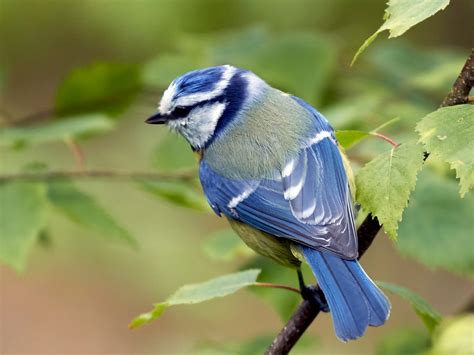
x=448, y=133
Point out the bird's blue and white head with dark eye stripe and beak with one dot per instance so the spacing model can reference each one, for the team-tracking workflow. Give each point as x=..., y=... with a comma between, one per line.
x=201, y=103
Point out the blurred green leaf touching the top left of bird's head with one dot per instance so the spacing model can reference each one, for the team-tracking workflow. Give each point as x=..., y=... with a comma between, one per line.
x=162, y=70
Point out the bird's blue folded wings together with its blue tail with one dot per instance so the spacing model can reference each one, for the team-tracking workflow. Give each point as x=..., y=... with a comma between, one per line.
x=309, y=202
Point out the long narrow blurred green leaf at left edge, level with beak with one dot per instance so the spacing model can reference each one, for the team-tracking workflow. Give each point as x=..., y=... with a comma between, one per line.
x=74, y=127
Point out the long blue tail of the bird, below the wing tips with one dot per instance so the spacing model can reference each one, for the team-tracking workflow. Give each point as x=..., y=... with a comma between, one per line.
x=355, y=302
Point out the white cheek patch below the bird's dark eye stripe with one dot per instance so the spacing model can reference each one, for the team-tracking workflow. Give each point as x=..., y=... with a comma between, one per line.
x=200, y=124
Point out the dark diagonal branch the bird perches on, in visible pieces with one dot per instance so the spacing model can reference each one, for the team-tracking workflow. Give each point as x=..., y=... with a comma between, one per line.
x=367, y=231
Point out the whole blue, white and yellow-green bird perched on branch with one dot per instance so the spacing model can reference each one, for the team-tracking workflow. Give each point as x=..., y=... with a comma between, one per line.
x=270, y=163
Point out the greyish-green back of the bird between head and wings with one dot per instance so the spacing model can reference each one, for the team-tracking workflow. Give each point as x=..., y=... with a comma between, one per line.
x=269, y=129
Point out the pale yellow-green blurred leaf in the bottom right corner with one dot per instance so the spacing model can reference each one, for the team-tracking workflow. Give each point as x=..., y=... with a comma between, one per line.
x=454, y=337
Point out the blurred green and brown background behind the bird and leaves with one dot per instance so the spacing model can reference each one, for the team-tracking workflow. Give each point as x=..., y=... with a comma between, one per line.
x=79, y=291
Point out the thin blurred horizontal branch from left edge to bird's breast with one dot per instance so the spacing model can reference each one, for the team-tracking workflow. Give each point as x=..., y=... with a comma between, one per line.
x=185, y=176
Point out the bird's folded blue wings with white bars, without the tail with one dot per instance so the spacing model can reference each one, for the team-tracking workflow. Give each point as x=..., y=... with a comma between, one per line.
x=308, y=201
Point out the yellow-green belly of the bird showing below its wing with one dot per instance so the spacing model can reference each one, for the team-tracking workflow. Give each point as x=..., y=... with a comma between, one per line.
x=265, y=244
